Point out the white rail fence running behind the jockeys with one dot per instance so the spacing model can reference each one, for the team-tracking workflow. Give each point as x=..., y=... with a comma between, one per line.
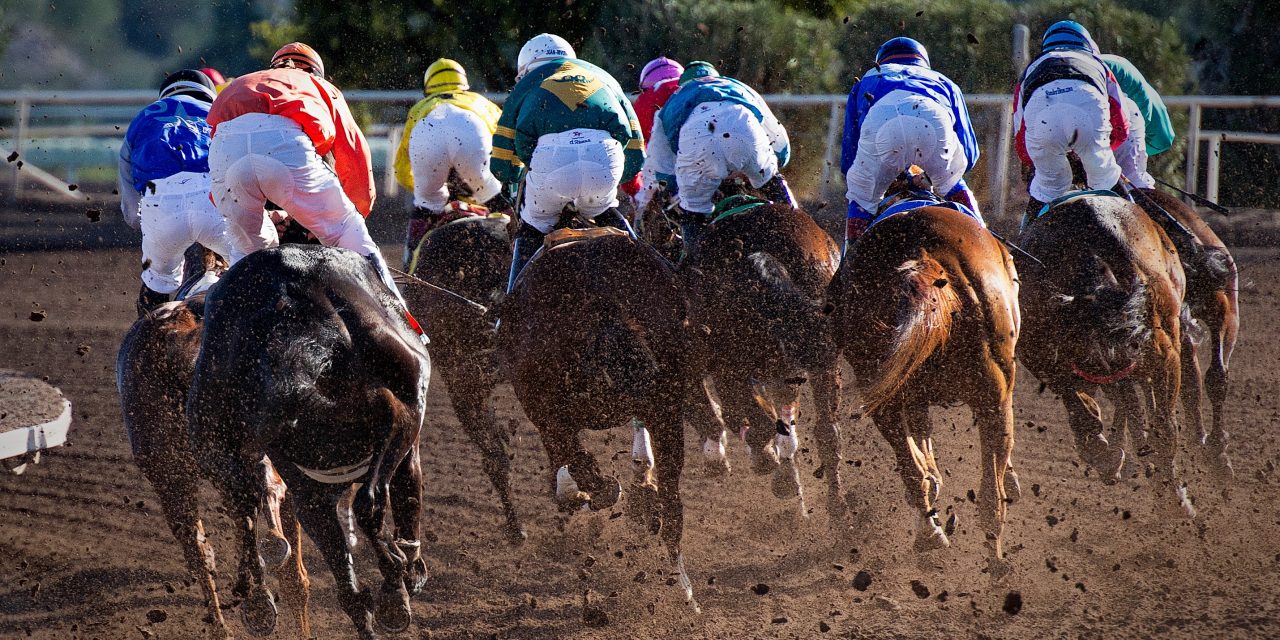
x=996, y=148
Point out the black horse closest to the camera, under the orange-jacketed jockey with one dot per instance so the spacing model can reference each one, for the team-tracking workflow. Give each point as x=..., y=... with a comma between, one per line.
x=308, y=359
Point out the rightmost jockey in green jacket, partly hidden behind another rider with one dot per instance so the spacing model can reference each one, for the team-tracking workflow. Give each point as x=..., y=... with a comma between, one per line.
x=1150, y=129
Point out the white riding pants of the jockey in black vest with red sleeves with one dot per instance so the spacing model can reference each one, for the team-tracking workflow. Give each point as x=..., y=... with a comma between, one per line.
x=1067, y=116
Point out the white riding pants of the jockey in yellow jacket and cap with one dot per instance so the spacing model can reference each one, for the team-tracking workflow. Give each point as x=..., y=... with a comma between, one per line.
x=451, y=138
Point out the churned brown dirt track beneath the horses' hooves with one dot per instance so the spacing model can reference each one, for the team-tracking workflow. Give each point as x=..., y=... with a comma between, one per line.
x=85, y=552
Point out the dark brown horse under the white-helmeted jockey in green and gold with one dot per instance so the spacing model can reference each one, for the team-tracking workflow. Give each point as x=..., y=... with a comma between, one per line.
x=596, y=333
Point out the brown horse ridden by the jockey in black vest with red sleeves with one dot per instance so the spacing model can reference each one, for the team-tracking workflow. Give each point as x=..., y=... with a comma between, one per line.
x=1103, y=310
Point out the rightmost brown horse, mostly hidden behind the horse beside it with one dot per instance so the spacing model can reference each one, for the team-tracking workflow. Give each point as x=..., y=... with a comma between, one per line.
x=1213, y=301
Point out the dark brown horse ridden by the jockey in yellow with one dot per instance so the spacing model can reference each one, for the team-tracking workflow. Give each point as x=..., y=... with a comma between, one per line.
x=472, y=258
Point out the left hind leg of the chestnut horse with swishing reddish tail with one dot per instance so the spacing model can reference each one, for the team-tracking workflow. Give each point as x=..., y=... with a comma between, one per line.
x=906, y=427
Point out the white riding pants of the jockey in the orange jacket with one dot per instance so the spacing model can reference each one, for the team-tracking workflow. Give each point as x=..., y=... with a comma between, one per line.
x=257, y=158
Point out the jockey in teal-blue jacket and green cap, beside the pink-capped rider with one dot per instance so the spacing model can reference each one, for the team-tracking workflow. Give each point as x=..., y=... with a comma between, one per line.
x=712, y=129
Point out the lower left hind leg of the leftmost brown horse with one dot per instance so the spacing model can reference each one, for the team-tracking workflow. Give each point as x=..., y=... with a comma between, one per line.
x=177, y=493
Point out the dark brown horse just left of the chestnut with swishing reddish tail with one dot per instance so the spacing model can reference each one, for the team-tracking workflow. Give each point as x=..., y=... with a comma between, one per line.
x=757, y=282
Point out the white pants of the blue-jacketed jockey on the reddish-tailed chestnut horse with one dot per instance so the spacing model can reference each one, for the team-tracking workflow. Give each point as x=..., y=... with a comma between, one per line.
x=902, y=130
